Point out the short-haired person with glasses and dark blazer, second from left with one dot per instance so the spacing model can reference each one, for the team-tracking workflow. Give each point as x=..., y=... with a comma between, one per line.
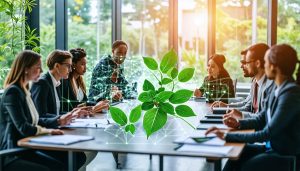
x=45, y=92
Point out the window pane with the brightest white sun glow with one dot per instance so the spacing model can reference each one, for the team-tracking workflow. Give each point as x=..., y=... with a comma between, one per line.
x=192, y=38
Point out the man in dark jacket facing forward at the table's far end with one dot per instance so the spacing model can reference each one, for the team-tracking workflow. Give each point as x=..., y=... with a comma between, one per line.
x=108, y=80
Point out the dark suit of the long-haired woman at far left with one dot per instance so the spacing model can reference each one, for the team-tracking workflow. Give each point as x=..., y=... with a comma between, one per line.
x=15, y=124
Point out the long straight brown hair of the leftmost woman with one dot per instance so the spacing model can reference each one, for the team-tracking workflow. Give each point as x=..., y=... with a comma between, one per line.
x=25, y=59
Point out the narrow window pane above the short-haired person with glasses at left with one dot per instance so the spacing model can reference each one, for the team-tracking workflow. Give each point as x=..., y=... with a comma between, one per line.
x=47, y=28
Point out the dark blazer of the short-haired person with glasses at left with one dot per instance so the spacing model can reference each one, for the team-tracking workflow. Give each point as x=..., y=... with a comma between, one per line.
x=43, y=96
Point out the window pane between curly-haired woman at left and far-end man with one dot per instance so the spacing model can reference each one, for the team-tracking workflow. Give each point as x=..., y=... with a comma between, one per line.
x=89, y=27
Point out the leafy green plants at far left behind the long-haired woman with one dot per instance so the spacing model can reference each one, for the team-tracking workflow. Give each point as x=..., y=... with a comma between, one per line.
x=15, y=33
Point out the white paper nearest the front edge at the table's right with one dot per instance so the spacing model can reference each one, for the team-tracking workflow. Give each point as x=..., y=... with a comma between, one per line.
x=219, y=150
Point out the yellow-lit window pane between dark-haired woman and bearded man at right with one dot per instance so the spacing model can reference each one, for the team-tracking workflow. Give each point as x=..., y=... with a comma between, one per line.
x=238, y=25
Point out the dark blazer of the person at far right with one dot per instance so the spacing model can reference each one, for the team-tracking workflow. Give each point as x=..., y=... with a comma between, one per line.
x=283, y=129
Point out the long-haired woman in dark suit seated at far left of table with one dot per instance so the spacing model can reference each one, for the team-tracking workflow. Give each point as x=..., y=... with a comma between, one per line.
x=19, y=117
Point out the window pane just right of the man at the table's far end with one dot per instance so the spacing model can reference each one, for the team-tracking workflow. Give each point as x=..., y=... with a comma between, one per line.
x=145, y=28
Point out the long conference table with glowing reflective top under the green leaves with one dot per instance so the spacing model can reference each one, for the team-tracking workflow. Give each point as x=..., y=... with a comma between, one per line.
x=114, y=139
